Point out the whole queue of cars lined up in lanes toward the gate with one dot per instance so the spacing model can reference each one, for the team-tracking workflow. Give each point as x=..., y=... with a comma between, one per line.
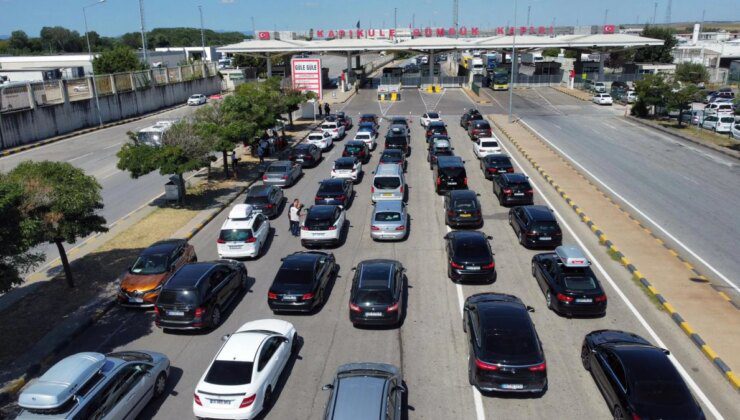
x=505, y=352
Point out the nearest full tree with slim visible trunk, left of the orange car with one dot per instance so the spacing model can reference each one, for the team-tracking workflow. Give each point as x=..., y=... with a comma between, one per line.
x=61, y=203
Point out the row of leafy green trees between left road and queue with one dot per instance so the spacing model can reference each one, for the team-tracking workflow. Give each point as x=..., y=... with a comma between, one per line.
x=216, y=128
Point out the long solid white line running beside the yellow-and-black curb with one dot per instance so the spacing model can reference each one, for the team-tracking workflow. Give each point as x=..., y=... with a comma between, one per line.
x=627, y=302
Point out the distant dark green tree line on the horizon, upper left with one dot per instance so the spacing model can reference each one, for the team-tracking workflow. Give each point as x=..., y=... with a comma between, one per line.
x=57, y=39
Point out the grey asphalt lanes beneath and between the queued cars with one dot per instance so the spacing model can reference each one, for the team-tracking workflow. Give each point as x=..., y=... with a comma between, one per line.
x=430, y=346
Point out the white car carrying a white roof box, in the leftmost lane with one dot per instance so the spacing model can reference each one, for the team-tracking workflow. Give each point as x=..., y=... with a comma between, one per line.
x=243, y=234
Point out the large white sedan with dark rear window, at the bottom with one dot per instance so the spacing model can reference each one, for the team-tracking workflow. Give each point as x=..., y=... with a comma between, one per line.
x=240, y=381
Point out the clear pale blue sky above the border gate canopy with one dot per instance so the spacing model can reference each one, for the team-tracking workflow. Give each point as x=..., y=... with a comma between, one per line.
x=115, y=17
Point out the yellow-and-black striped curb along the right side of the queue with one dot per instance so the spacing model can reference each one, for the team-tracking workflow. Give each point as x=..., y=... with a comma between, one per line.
x=624, y=261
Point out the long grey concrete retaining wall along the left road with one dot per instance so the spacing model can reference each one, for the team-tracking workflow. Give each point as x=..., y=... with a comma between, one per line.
x=31, y=125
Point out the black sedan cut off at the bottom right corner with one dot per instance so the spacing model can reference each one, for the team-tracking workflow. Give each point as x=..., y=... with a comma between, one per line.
x=636, y=378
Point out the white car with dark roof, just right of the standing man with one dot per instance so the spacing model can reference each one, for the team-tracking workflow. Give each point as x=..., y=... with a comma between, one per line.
x=323, y=225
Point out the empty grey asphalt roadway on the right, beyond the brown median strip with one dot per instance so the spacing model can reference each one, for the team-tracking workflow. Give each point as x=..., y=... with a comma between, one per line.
x=690, y=191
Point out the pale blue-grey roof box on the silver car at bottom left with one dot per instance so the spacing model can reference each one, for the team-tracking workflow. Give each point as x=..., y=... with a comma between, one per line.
x=55, y=387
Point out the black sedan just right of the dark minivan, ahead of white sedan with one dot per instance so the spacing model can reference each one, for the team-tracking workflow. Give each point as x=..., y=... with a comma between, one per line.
x=302, y=281
